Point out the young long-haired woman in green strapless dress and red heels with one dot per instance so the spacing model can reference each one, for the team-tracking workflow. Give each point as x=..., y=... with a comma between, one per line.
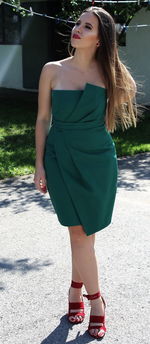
x=90, y=93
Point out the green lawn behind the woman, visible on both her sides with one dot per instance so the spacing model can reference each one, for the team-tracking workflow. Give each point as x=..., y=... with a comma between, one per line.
x=17, y=148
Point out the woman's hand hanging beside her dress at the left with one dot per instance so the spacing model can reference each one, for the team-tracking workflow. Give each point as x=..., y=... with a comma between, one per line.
x=40, y=179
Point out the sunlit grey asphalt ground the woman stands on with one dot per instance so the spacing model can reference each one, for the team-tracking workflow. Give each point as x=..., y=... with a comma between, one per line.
x=35, y=264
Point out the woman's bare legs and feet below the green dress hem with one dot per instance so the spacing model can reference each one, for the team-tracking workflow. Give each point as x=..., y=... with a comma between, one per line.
x=85, y=267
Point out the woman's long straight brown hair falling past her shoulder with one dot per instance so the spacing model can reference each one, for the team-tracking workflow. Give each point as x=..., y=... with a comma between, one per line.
x=121, y=106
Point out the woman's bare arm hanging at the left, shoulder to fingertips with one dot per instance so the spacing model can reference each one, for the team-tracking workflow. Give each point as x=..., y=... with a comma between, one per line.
x=42, y=124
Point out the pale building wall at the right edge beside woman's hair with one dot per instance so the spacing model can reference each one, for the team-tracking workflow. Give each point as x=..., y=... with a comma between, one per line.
x=136, y=54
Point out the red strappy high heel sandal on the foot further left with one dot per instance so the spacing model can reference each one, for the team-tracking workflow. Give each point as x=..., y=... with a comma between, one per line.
x=74, y=306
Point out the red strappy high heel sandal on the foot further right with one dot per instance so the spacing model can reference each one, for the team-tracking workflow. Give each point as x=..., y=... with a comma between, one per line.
x=97, y=318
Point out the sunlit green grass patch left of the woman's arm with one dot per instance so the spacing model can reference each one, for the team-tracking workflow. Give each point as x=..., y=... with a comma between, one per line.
x=17, y=152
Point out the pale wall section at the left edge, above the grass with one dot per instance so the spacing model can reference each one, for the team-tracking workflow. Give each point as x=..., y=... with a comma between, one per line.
x=11, y=66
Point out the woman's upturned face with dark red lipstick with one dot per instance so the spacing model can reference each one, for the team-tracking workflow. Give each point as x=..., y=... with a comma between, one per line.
x=86, y=29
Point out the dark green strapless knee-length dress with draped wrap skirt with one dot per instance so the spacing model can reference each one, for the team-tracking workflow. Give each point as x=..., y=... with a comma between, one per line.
x=80, y=159
